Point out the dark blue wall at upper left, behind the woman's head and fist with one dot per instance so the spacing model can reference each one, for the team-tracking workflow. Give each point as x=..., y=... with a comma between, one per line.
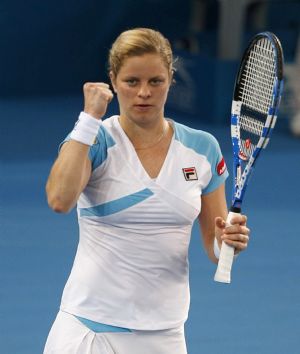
x=54, y=46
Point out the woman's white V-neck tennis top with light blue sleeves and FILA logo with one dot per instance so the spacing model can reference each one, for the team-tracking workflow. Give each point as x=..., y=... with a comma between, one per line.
x=131, y=266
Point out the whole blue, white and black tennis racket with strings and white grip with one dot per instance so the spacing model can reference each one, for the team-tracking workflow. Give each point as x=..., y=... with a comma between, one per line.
x=256, y=99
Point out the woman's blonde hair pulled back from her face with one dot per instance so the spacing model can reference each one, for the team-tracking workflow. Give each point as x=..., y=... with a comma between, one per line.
x=136, y=42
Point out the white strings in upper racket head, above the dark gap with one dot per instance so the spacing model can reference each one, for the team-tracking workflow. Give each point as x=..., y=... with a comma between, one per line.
x=257, y=79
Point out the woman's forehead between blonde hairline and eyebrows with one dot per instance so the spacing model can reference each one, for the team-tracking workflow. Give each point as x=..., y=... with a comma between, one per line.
x=151, y=64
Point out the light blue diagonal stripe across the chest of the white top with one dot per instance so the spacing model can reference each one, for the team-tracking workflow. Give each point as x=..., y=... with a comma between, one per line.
x=116, y=205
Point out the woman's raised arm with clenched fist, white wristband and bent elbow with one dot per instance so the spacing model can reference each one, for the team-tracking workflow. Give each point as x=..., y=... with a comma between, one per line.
x=72, y=169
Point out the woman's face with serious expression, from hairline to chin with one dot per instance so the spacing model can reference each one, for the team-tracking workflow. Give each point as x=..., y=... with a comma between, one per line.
x=142, y=86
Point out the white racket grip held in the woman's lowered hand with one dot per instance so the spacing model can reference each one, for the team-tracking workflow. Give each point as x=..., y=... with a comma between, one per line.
x=223, y=273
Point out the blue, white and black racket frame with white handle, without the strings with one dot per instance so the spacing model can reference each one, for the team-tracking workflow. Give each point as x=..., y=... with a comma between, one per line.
x=241, y=176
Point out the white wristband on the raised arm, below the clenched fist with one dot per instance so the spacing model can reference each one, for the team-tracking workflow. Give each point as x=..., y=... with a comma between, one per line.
x=85, y=129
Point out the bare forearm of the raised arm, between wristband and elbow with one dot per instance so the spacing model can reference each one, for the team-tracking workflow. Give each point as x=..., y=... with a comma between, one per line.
x=68, y=176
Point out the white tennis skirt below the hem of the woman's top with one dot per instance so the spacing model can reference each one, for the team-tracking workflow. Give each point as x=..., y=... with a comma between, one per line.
x=69, y=336
